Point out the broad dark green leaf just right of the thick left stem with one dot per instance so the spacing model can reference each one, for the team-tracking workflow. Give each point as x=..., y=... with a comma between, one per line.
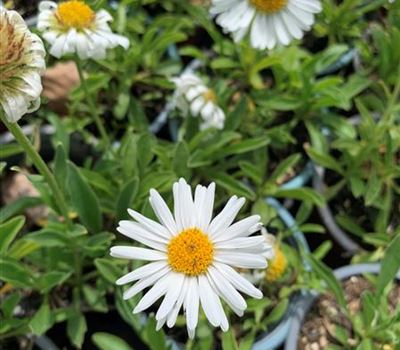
x=84, y=199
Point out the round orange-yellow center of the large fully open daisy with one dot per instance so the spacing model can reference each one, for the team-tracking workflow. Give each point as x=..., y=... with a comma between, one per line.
x=191, y=252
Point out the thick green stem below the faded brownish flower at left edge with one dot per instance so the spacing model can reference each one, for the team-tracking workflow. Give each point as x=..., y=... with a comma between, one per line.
x=40, y=166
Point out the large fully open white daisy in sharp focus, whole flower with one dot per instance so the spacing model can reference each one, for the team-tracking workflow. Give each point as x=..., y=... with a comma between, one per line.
x=192, y=257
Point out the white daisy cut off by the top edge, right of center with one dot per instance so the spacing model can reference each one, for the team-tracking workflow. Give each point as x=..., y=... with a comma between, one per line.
x=269, y=22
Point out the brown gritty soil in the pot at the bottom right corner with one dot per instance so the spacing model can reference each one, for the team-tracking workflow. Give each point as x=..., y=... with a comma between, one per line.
x=320, y=323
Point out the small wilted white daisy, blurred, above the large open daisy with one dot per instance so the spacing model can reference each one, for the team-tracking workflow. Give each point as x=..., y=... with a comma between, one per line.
x=192, y=96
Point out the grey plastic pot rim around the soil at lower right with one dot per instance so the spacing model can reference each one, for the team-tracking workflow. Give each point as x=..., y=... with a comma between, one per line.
x=341, y=274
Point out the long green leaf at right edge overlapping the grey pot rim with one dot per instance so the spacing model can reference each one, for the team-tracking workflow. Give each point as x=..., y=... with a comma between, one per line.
x=390, y=266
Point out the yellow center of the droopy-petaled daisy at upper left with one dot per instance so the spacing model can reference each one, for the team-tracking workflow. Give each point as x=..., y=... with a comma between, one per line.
x=75, y=14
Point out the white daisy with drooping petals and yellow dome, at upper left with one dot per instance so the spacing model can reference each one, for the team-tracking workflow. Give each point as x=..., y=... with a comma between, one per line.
x=73, y=27
